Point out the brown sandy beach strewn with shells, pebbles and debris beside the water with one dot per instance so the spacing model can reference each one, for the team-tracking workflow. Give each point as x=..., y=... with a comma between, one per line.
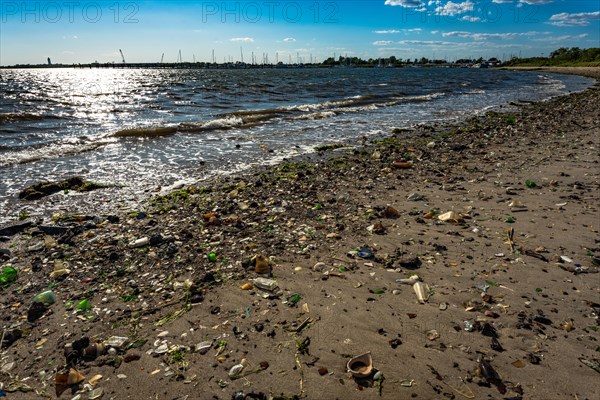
x=497, y=217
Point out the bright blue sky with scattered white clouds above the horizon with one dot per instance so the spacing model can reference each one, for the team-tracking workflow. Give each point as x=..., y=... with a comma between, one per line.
x=85, y=31
